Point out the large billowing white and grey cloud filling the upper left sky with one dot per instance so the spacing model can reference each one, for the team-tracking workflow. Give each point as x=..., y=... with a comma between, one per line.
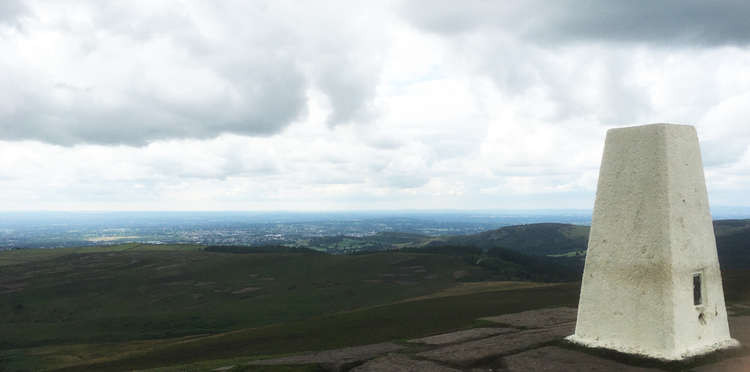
x=152, y=86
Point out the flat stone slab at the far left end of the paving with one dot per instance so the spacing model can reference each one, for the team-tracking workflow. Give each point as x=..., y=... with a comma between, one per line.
x=336, y=357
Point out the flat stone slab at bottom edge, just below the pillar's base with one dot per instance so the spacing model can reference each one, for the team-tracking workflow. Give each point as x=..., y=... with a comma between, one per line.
x=553, y=359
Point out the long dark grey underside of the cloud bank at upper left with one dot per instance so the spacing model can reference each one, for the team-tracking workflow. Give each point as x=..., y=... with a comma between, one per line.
x=267, y=100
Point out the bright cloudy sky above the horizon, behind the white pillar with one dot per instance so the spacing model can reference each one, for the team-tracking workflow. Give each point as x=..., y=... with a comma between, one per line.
x=347, y=105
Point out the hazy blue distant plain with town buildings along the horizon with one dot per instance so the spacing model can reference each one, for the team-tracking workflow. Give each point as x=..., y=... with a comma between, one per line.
x=69, y=229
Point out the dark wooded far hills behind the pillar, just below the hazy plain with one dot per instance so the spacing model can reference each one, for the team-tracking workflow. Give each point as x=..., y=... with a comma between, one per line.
x=565, y=243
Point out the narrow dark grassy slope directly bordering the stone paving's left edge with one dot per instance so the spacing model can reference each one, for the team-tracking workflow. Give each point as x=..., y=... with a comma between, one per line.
x=377, y=324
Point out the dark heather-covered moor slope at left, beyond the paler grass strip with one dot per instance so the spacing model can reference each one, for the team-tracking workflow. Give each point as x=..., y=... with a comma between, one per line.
x=126, y=295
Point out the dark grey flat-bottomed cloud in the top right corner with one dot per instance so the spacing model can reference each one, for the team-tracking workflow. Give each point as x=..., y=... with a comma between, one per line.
x=668, y=22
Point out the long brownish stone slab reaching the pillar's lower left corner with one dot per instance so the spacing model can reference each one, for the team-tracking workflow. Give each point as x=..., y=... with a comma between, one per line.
x=474, y=352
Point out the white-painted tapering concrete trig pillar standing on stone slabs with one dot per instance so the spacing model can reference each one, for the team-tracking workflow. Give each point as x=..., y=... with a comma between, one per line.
x=652, y=283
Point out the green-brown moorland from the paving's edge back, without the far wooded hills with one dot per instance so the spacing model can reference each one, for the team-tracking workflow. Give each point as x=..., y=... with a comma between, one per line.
x=71, y=306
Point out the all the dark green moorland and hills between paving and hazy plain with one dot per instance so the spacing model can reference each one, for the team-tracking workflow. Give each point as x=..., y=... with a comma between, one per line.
x=194, y=308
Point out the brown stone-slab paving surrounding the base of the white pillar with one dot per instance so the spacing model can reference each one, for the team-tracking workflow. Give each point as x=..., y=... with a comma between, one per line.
x=527, y=341
